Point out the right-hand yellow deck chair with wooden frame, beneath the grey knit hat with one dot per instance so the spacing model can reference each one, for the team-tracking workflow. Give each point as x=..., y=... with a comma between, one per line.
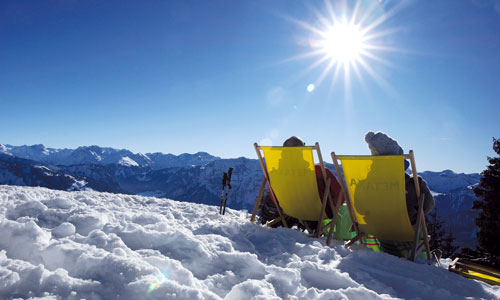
x=374, y=187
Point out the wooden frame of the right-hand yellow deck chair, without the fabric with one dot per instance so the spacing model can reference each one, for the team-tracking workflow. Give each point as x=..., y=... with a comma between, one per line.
x=420, y=225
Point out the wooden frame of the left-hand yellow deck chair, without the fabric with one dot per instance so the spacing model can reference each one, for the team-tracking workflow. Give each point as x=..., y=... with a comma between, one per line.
x=326, y=199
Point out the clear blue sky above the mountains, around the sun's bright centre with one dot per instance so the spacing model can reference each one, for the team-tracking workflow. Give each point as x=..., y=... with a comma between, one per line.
x=217, y=76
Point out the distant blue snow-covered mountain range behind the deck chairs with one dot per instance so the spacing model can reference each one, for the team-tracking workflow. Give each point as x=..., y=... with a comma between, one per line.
x=194, y=178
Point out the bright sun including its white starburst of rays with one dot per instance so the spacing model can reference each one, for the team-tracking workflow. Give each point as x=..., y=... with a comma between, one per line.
x=349, y=39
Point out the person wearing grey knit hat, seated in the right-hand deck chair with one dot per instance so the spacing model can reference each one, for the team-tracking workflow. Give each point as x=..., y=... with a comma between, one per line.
x=381, y=144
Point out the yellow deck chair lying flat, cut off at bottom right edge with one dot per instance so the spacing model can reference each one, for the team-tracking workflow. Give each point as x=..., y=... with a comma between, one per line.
x=474, y=271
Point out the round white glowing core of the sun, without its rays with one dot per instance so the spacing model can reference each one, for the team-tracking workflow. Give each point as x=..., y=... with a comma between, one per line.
x=343, y=42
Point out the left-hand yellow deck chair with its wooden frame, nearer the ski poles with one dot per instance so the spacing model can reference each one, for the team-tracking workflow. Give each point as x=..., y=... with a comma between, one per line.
x=290, y=173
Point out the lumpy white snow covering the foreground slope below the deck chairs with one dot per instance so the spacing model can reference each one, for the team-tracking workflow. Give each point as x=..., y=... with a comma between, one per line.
x=90, y=245
